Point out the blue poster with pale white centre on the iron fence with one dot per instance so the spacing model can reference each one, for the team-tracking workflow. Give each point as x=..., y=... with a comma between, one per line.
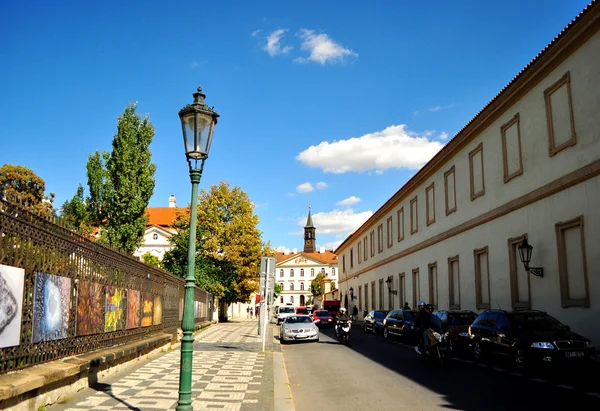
x=51, y=300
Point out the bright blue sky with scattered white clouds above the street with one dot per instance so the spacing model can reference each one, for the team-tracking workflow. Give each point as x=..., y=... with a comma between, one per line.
x=333, y=104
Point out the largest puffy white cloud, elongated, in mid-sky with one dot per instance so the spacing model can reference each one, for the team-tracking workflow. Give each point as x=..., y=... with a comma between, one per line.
x=394, y=147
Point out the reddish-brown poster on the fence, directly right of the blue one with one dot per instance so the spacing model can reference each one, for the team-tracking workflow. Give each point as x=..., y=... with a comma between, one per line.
x=90, y=302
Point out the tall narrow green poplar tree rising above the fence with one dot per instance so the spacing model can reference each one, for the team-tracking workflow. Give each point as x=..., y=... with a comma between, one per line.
x=122, y=182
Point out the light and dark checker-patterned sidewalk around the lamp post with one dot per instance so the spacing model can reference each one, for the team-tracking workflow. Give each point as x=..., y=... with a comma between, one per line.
x=230, y=373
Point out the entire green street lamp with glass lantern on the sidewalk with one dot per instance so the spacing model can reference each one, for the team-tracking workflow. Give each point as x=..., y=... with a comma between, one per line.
x=198, y=123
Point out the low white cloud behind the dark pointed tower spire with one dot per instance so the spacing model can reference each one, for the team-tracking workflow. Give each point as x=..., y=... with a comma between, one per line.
x=336, y=222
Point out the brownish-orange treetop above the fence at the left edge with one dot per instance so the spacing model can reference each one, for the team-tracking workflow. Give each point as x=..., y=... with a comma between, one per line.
x=21, y=185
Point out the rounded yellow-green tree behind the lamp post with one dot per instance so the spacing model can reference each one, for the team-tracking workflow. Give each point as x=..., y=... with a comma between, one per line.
x=228, y=245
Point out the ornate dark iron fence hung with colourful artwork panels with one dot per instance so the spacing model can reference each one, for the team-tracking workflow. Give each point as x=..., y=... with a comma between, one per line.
x=63, y=294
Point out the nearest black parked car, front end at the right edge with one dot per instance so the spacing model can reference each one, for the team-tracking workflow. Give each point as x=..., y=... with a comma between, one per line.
x=527, y=337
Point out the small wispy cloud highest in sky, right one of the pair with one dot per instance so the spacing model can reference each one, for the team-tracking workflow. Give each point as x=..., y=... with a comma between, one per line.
x=322, y=49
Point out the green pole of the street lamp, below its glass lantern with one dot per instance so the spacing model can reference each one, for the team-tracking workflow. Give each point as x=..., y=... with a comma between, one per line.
x=187, y=325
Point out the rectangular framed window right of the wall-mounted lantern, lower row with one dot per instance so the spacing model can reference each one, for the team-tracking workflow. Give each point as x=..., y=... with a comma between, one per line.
x=572, y=263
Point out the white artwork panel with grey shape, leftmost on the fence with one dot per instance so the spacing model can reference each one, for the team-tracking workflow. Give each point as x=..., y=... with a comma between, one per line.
x=11, y=304
